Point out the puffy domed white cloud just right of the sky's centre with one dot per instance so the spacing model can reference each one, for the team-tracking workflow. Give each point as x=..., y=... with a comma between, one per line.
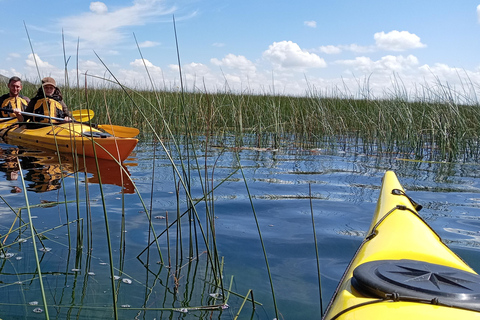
x=289, y=55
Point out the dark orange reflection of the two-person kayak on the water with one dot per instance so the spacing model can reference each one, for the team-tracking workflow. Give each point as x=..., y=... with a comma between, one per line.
x=45, y=170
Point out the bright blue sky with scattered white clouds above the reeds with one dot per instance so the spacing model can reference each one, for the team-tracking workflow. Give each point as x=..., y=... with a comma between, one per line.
x=372, y=48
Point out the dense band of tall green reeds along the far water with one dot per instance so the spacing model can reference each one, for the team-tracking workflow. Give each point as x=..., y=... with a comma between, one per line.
x=433, y=126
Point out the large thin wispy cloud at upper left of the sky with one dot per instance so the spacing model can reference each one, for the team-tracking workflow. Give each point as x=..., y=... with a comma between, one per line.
x=107, y=30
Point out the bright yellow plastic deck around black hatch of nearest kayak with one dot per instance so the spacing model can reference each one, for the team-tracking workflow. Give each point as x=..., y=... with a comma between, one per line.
x=401, y=235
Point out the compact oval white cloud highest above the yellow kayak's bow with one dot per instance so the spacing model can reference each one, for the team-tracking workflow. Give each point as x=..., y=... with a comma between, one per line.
x=397, y=40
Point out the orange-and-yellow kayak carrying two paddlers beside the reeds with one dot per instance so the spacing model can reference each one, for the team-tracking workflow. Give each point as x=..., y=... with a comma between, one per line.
x=71, y=138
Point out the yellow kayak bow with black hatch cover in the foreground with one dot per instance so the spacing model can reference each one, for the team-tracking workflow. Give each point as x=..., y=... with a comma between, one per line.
x=402, y=270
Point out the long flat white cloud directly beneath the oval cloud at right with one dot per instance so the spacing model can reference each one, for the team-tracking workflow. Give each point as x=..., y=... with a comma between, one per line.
x=386, y=64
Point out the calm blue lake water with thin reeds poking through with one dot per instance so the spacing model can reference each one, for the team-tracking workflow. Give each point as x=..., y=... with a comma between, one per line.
x=343, y=185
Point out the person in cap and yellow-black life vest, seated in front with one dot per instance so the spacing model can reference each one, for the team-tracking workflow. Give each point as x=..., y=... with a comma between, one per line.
x=48, y=102
